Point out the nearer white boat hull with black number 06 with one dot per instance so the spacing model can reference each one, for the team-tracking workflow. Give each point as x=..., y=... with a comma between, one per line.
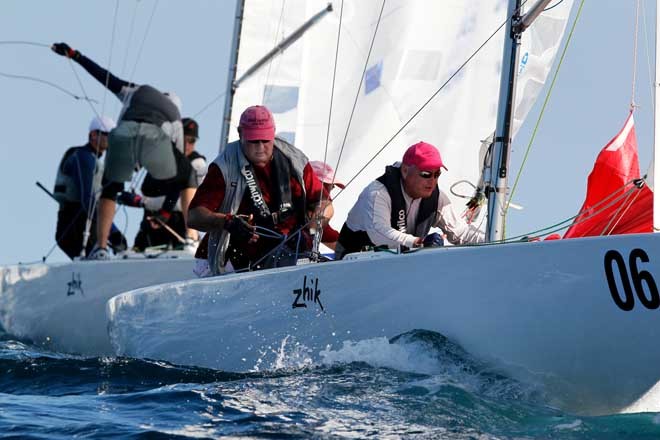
x=545, y=308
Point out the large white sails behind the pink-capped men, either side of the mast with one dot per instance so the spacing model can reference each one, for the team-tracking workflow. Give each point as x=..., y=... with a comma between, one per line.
x=418, y=46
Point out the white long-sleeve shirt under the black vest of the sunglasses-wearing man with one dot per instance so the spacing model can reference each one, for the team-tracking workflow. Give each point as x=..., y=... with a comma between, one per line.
x=373, y=211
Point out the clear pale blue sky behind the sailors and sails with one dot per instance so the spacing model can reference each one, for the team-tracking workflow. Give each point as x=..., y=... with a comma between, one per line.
x=185, y=48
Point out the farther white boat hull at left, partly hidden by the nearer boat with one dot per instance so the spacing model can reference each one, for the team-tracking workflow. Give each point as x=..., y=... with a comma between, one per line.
x=62, y=305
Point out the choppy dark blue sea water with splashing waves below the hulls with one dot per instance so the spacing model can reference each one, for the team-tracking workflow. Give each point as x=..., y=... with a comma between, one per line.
x=419, y=385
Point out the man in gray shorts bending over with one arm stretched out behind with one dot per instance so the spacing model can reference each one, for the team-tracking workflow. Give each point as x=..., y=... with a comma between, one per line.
x=149, y=134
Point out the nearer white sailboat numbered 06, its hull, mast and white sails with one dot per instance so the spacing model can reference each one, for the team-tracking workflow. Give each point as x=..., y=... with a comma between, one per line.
x=578, y=315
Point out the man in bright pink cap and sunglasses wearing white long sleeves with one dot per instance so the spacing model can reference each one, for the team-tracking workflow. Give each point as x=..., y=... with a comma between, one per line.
x=399, y=208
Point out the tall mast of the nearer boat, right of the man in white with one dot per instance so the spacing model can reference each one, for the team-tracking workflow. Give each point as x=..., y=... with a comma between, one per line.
x=496, y=182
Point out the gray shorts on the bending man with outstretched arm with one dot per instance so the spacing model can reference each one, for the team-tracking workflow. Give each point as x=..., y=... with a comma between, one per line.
x=138, y=143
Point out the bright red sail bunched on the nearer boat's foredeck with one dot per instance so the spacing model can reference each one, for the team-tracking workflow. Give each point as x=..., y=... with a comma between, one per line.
x=624, y=209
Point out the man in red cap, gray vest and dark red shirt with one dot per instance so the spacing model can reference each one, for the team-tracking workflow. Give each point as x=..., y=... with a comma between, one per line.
x=258, y=180
